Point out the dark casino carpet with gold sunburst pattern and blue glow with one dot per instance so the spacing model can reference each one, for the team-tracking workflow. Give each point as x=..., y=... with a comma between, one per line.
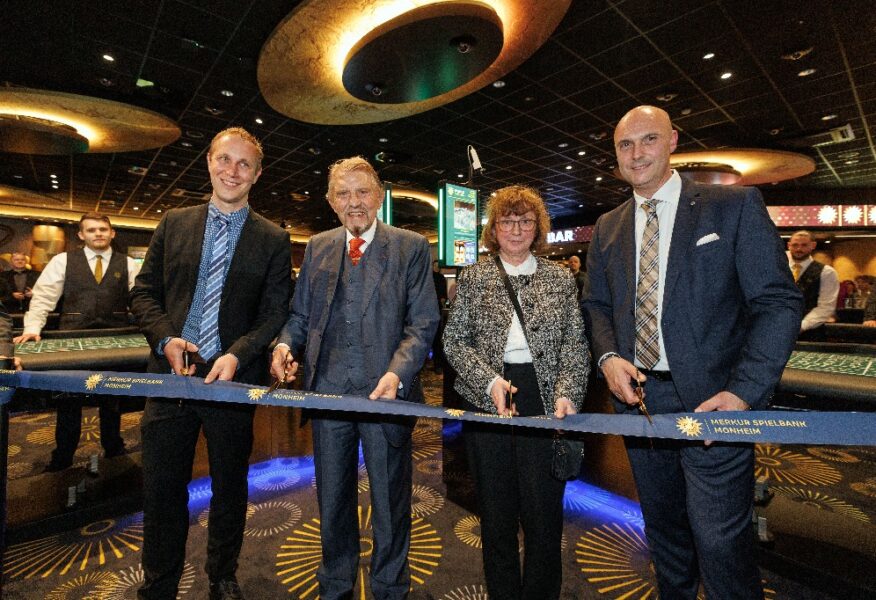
x=605, y=555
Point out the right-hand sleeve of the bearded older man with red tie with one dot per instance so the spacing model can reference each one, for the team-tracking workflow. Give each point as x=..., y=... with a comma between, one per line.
x=421, y=316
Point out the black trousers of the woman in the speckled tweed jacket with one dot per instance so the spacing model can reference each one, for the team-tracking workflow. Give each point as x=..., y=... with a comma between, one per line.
x=511, y=470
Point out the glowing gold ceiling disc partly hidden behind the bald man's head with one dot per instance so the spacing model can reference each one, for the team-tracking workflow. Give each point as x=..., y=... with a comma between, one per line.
x=754, y=166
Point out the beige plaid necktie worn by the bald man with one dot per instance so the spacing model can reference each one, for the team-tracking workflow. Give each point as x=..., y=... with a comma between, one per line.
x=647, y=344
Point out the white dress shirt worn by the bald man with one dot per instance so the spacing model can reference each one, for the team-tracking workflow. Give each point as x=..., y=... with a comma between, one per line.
x=668, y=194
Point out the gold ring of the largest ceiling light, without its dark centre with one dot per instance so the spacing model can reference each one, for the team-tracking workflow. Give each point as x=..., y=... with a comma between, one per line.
x=302, y=63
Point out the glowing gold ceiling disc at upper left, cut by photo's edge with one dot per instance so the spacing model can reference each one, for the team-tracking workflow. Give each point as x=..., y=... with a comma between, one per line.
x=107, y=125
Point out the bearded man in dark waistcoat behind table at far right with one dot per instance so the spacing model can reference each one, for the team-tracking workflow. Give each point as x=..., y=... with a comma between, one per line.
x=818, y=282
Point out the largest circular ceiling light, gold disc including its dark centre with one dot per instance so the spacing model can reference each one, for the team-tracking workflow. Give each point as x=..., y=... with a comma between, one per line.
x=339, y=62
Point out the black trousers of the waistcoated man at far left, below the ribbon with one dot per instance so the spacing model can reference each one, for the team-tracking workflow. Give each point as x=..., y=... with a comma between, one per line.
x=68, y=427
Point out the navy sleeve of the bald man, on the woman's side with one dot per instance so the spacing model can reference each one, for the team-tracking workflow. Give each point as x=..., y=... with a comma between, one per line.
x=597, y=299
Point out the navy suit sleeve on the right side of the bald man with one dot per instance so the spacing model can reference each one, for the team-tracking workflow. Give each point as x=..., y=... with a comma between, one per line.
x=774, y=304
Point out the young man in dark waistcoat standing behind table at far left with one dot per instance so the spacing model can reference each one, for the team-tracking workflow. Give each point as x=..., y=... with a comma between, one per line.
x=90, y=289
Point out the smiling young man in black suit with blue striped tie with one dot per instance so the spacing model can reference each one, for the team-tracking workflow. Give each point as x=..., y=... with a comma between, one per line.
x=214, y=284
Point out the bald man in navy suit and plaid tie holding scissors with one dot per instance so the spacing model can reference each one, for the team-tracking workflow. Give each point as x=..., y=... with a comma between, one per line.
x=688, y=291
